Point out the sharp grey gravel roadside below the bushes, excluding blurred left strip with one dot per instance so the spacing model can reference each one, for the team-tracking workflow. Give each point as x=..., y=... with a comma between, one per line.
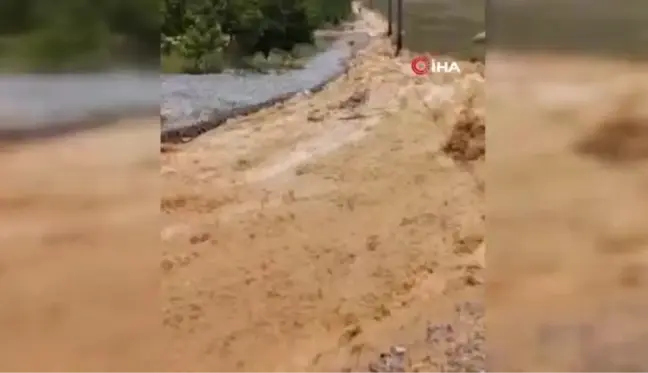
x=193, y=104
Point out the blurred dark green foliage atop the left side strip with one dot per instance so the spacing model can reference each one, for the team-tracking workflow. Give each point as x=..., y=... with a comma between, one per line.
x=78, y=34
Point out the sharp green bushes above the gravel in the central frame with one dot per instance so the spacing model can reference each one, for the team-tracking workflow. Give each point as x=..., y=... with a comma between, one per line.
x=197, y=30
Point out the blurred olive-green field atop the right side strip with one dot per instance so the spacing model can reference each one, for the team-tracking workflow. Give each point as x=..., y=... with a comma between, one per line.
x=600, y=28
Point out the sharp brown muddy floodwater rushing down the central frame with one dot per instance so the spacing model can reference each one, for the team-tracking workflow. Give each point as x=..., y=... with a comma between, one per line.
x=315, y=235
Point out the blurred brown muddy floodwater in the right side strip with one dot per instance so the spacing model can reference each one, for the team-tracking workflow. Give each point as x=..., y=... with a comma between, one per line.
x=567, y=206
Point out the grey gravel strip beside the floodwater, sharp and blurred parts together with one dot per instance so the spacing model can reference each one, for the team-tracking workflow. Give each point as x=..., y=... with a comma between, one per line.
x=41, y=105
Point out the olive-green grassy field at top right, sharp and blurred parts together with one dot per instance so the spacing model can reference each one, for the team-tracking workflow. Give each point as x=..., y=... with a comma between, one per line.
x=602, y=28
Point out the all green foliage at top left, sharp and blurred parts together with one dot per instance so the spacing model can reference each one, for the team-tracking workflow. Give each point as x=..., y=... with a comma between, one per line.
x=203, y=34
